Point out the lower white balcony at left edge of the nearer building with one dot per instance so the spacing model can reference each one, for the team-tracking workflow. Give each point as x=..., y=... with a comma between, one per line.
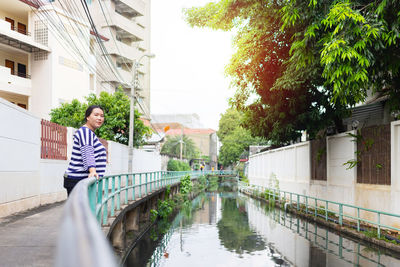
x=17, y=83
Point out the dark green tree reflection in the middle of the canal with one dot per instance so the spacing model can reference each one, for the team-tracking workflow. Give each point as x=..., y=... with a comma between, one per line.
x=234, y=230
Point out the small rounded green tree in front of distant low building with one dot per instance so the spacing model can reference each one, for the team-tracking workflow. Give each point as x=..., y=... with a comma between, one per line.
x=172, y=147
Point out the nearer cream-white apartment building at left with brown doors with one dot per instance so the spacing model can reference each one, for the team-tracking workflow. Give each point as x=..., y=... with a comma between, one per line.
x=40, y=69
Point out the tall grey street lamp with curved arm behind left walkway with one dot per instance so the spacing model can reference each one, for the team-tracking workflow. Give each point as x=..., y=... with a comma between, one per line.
x=136, y=65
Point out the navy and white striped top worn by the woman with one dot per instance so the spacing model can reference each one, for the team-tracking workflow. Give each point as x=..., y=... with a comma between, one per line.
x=87, y=152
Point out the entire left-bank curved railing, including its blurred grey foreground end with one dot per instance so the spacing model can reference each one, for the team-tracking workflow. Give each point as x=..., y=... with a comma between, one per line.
x=81, y=241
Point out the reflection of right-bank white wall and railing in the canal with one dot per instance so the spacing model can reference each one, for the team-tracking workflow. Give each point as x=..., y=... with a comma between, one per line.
x=307, y=244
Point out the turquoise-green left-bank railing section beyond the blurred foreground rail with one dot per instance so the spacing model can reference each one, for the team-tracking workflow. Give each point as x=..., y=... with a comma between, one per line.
x=109, y=193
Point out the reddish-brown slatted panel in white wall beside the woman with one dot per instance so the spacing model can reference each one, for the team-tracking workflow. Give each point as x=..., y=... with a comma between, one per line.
x=53, y=141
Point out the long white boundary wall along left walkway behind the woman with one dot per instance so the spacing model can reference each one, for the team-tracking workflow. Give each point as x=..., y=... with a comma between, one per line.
x=27, y=181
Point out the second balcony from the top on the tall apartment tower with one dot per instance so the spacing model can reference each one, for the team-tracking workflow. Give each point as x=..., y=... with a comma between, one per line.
x=125, y=28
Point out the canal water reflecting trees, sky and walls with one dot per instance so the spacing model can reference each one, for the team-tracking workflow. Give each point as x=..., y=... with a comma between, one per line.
x=230, y=229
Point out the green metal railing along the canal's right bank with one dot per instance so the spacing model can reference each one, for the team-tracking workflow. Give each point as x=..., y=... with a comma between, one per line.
x=323, y=208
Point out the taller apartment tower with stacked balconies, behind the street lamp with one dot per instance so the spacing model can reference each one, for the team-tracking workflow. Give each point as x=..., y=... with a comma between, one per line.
x=126, y=23
